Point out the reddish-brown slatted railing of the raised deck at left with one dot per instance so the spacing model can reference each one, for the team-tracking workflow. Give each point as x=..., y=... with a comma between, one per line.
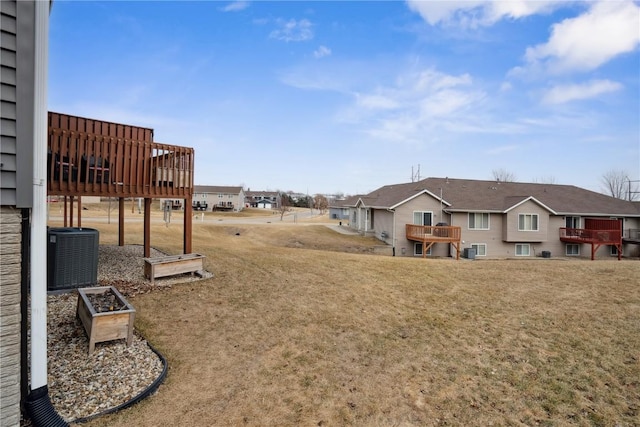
x=86, y=164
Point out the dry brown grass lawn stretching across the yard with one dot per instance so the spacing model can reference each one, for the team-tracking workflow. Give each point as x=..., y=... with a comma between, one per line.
x=302, y=326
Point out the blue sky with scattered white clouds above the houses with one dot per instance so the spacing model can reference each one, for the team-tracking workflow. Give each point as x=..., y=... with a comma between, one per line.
x=347, y=96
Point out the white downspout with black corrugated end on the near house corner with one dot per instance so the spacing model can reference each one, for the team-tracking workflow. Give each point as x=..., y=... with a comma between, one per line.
x=38, y=404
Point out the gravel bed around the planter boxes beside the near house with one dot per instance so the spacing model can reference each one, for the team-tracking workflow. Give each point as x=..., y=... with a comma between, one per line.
x=83, y=385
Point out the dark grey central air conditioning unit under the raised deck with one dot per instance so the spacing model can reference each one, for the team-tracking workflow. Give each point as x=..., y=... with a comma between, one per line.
x=72, y=258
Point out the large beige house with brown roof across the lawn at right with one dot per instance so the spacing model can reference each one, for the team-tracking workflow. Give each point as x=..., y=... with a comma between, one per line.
x=498, y=219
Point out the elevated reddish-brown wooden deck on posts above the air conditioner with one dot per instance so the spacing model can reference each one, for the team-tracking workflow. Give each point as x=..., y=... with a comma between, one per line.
x=88, y=157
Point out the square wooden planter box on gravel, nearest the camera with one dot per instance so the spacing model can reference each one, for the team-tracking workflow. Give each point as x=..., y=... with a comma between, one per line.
x=105, y=325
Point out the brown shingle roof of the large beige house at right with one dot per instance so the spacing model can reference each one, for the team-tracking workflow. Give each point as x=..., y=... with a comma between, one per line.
x=474, y=195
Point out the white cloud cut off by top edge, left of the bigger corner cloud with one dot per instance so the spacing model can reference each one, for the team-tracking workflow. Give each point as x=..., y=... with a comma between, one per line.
x=474, y=13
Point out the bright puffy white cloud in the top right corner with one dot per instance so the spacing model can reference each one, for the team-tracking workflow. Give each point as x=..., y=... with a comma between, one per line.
x=608, y=29
